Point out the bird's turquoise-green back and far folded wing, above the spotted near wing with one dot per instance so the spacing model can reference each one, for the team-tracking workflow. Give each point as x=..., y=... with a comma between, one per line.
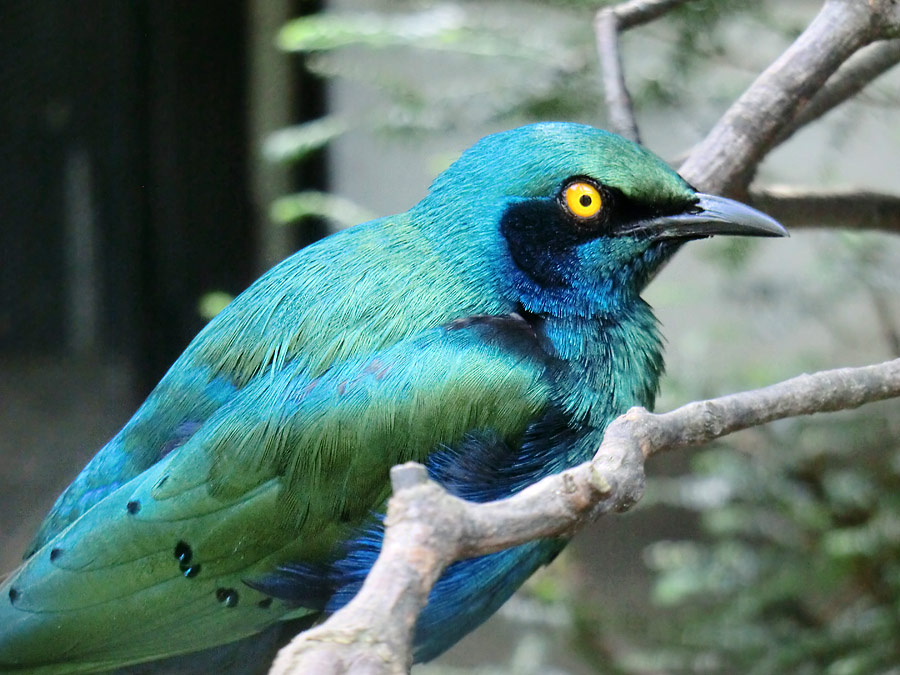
x=354, y=293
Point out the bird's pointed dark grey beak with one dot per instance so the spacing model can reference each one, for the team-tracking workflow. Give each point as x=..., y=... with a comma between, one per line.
x=708, y=216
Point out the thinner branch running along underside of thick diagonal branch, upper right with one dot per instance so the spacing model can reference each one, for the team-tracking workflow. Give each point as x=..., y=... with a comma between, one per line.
x=850, y=79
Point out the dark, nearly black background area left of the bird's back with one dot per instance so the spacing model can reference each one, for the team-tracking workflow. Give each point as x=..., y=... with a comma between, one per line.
x=124, y=197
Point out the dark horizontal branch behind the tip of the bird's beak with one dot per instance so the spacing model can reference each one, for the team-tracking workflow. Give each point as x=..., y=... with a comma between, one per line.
x=846, y=209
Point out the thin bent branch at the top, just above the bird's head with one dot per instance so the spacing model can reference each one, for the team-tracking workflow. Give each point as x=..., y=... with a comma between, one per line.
x=608, y=23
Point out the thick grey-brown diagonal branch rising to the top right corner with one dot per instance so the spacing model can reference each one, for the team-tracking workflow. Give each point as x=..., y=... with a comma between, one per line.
x=726, y=160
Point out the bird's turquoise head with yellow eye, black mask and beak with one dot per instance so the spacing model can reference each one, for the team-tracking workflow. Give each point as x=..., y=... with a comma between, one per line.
x=574, y=212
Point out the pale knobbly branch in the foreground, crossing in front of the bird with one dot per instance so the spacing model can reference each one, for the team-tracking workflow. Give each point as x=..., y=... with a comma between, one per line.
x=427, y=528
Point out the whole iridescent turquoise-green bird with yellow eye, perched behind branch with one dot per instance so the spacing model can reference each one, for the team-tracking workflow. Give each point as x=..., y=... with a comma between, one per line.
x=491, y=333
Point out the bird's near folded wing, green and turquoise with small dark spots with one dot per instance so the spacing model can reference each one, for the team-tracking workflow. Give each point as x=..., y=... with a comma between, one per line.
x=283, y=471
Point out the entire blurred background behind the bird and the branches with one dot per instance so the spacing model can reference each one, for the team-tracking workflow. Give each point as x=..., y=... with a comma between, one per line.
x=155, y=157
